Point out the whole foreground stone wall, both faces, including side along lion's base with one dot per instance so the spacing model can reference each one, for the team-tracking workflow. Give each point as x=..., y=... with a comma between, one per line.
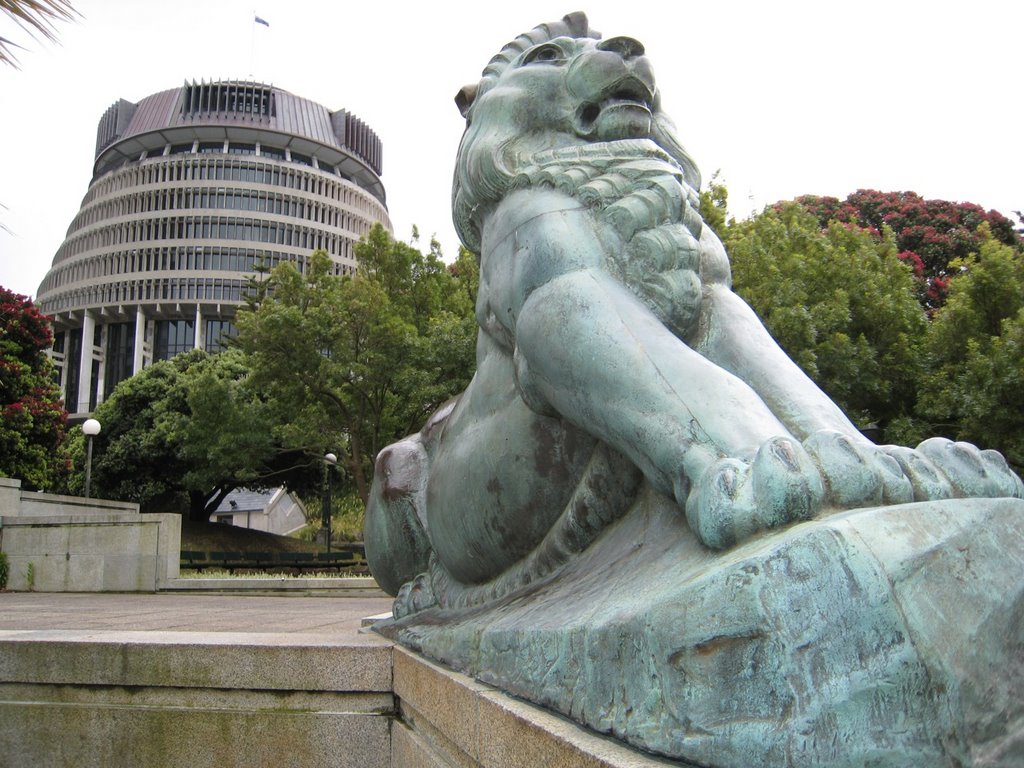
x=159, y=700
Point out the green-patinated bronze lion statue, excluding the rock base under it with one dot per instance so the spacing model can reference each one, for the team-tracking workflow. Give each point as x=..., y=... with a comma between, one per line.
x=613, y=356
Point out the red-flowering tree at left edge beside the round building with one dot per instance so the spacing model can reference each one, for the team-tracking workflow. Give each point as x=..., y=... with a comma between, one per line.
x=33, y=420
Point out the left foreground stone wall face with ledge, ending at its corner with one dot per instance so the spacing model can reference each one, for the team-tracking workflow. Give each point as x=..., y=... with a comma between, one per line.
x=96, y=700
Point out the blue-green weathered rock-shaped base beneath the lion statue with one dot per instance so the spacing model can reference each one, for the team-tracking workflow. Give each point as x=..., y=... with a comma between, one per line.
x=891, y=636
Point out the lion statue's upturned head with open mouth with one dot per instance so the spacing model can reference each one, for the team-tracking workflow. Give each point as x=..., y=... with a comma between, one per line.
x=559, y=87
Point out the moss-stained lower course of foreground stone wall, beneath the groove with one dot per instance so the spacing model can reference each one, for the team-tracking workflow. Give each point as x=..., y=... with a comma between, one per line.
x=165, y=729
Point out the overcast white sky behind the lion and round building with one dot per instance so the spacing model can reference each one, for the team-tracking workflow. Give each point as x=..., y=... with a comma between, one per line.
x=787, y=99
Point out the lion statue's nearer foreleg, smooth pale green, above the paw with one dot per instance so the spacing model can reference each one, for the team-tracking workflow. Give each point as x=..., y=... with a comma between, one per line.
x=588, y=350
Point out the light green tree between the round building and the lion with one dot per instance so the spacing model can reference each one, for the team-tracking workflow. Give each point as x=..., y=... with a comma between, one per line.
x=358, y=362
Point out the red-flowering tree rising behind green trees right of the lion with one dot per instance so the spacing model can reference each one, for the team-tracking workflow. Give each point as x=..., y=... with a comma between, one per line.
x=930, y=234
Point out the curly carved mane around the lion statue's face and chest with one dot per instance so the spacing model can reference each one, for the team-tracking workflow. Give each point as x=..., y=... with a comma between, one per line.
x=645, y=189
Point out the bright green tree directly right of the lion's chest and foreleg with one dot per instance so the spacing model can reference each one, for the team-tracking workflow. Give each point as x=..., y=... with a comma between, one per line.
x=840, y=303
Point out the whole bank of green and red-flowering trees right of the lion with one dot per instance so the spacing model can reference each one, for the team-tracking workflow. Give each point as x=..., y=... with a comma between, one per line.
x=835, y=283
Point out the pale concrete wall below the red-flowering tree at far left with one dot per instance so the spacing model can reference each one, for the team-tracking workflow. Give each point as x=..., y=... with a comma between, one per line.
x=69, y=544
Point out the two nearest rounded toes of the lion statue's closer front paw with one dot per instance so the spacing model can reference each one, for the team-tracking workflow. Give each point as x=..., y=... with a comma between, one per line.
x=734, y=500
